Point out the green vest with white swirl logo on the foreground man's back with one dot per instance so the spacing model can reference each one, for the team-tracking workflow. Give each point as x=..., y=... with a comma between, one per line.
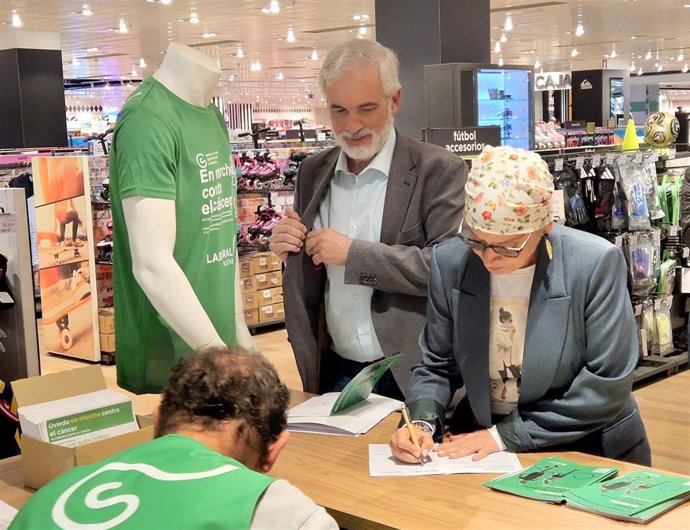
x=170, y=482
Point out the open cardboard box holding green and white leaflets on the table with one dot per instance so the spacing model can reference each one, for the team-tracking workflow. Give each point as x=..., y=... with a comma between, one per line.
x=42, y=461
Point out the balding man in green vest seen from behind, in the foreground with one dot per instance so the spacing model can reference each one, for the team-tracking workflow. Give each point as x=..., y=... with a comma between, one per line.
x=220, y=426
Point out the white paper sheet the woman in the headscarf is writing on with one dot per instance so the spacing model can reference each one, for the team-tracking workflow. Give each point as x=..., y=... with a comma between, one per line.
x=382, y=464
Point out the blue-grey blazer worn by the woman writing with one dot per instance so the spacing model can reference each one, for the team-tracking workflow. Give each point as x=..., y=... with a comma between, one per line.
x=581, y=349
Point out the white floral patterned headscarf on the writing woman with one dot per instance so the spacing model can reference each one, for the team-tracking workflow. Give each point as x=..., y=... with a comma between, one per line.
x=508, y=191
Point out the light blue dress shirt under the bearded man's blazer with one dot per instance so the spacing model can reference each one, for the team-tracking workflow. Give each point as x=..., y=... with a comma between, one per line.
x=354, y=207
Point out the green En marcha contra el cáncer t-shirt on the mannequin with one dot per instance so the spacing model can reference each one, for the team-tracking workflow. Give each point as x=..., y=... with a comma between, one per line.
x=166, y=148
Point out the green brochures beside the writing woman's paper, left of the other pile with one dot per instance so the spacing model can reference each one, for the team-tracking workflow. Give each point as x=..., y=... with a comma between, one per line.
x=550, y=479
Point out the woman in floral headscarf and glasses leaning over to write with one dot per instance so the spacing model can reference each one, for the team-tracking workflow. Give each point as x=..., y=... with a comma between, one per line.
x=569, y=383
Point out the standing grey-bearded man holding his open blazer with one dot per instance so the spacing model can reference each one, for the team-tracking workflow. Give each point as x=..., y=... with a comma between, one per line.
x=365, y=217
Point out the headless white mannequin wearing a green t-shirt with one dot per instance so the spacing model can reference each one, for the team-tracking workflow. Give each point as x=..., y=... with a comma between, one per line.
x=173, y=185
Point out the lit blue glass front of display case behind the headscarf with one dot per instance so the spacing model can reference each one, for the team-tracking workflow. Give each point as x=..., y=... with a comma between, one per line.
x=503, y=99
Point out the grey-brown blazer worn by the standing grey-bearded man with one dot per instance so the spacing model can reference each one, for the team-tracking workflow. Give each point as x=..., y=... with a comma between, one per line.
x=423, y=205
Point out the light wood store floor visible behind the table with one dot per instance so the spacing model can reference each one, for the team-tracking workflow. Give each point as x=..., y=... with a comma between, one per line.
x=664, y=404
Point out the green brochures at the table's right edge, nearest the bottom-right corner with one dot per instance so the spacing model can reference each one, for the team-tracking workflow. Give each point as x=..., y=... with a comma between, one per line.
x=637, y=497
